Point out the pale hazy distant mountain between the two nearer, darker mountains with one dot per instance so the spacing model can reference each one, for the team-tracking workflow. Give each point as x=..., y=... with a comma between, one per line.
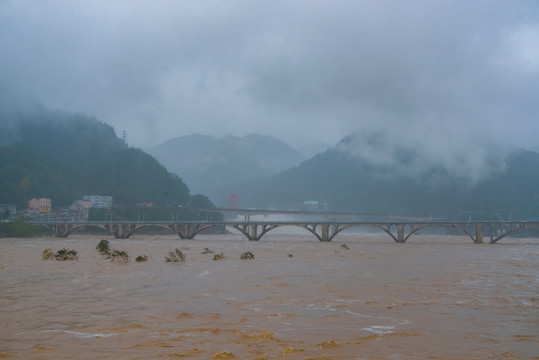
x=206, y=163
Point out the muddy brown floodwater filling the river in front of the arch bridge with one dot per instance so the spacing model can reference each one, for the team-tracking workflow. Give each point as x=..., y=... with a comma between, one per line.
x=435, y=297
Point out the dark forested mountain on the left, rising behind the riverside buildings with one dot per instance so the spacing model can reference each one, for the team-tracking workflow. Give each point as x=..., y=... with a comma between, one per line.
x=64, y=156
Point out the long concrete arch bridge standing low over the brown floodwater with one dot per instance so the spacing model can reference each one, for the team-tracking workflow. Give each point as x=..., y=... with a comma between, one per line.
x=399, y=231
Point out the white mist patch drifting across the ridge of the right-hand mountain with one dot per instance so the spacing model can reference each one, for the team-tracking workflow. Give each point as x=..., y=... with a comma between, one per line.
x=461, y=154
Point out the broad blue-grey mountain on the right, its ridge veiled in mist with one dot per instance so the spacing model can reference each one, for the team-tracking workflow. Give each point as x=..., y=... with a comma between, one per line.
x=407, y=185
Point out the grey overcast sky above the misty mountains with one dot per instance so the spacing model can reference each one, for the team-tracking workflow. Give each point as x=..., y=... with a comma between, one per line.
x=303, y=71
